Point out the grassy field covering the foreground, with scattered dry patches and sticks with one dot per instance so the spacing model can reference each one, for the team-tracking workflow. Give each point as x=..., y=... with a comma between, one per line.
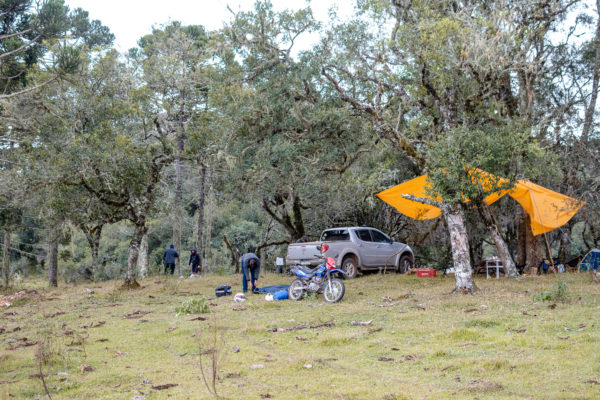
x=415, y=341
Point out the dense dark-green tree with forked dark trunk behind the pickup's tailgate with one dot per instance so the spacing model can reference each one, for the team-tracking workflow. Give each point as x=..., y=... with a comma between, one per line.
x=294, y=142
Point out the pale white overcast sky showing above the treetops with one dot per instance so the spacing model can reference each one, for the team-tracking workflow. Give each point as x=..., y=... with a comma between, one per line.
x=129, y=20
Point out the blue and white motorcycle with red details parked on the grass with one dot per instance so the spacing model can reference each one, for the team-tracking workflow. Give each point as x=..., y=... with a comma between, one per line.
x=318, y=280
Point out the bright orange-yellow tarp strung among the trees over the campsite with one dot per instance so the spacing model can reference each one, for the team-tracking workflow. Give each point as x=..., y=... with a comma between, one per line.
x=547, y=209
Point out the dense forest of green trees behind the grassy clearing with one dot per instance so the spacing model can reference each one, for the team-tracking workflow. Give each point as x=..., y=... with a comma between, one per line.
x=234, y=140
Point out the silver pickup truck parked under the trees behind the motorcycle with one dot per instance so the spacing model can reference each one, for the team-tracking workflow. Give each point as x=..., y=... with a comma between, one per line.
x=354, y=249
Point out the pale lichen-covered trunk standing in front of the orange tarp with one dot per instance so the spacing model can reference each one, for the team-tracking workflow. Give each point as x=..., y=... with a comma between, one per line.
x=459, y=241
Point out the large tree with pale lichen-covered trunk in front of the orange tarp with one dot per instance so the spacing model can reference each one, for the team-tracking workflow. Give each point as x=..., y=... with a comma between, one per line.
x=440, y=70
